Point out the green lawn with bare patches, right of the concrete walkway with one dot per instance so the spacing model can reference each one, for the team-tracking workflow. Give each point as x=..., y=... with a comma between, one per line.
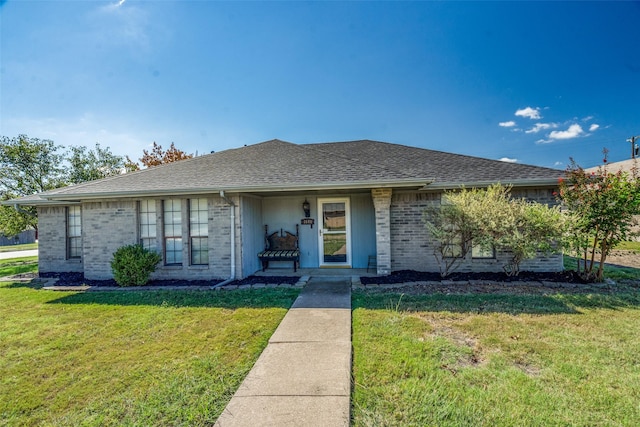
x=496, y=360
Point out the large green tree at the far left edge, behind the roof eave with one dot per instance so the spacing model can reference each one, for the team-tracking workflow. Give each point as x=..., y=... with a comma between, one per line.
x=27, y=166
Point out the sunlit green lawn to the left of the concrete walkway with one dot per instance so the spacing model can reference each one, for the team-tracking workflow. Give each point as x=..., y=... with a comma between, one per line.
x=128, y=358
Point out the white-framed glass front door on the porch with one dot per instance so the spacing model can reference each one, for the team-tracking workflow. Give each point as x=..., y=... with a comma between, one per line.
x=335, y=237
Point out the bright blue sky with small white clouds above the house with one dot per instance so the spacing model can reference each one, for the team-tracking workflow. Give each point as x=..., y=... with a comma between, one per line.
x=536, y=82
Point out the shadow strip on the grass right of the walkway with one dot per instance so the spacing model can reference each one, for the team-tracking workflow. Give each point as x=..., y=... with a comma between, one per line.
x=560, y=303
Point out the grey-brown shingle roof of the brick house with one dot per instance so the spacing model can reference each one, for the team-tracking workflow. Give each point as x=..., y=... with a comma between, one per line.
x=277, y=165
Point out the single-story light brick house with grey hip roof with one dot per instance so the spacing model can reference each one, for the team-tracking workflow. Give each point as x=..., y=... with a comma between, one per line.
x=207, y=215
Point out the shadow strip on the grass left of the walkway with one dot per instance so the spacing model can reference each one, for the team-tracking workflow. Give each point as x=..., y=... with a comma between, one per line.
x=254, y=298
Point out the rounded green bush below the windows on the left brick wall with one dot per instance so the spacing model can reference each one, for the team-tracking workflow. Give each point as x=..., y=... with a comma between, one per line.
x=132, y=265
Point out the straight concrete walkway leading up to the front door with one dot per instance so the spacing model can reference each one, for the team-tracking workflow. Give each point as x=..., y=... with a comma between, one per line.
x=303, y=377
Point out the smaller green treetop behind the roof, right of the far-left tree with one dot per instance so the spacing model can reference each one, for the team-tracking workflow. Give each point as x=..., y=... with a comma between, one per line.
x=89, y=165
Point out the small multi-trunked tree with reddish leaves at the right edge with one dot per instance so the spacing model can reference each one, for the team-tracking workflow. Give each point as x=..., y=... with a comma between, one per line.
x=602, y=205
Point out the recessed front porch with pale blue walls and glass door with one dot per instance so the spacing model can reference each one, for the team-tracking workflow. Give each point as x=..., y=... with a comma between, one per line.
x=337, y=232
